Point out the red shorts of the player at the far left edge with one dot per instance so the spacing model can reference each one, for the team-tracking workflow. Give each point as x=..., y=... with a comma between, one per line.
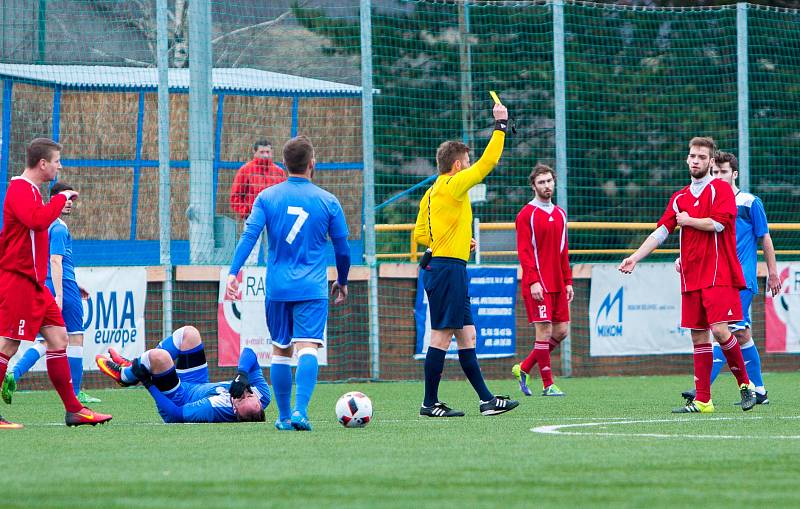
x=25, y=307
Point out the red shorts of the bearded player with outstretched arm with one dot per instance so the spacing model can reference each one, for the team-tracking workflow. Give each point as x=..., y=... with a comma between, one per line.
x=703, y=308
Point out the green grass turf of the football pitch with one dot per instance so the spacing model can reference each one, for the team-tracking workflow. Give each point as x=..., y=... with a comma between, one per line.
x=403, y=460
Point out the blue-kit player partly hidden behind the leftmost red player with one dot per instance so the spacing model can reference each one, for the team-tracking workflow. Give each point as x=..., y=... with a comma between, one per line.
x=64, y=287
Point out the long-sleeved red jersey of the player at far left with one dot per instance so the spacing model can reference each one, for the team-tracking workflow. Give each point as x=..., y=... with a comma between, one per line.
x=24, y=247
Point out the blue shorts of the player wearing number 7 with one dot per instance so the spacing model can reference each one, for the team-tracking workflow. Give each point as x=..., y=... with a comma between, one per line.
x=289, y=322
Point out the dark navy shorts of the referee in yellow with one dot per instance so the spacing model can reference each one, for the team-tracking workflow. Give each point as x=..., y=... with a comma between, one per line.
x=448, y=294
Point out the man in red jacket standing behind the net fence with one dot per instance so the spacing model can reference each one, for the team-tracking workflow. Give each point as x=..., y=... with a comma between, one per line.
x=252, y=178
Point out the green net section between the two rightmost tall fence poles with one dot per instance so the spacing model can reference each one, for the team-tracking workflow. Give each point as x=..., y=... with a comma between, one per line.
x=641, y=85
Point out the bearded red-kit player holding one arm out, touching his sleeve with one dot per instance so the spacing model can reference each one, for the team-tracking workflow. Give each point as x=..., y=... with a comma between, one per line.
x=711, y=275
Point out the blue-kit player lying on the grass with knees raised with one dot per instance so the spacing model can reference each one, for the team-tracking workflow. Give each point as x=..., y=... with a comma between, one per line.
x=176, y=375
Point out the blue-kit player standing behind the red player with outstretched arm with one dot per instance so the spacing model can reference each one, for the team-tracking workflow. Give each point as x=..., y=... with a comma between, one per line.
x=751, y=225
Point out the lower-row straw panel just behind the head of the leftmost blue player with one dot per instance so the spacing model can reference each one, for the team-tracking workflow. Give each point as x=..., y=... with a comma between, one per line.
x=103, y=210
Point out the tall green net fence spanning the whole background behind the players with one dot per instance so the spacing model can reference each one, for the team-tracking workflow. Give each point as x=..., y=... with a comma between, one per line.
x=639, y=83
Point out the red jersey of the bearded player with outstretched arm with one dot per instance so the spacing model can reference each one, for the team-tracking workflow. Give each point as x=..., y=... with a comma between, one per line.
x=707, y=258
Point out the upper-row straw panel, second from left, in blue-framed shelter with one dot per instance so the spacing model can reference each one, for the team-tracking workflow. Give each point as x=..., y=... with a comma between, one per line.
x=99, y=125
